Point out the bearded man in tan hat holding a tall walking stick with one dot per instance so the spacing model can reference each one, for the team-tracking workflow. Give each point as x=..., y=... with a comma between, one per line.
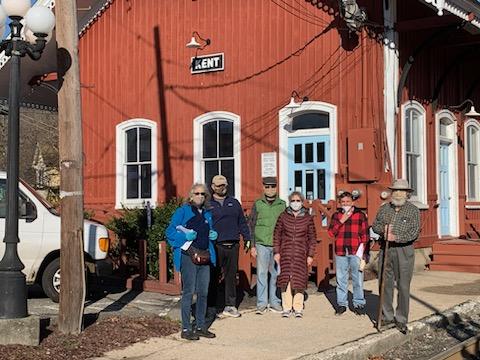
x=397, y=222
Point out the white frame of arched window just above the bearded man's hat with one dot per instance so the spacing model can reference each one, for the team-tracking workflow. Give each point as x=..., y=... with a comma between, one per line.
x=420, y=200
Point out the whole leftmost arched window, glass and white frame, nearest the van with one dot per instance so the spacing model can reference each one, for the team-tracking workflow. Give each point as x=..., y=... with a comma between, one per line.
x=136, y=163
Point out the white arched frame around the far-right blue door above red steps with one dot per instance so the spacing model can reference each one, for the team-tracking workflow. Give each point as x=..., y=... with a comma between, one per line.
x=453, y=160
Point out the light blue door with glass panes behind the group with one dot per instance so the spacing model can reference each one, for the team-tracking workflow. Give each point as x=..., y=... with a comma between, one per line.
x=309, y=166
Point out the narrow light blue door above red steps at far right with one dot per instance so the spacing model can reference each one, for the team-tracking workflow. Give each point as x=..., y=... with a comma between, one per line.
x=445, y=196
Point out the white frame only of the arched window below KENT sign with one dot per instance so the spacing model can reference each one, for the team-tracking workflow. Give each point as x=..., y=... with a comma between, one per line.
x=198, y=168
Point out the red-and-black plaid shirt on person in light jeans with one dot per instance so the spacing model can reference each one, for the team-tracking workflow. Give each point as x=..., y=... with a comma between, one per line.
x=349, y=235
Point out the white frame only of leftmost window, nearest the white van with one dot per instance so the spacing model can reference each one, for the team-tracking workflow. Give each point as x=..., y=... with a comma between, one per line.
x=120, y=173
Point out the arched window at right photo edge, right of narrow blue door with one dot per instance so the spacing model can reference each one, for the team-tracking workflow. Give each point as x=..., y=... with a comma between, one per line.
x=472, y=145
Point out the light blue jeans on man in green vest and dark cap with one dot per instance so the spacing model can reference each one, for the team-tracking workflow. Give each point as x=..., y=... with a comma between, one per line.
x=265, y=264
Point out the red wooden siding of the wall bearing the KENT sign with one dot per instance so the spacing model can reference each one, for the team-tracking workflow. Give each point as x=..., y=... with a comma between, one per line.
x=134, y=64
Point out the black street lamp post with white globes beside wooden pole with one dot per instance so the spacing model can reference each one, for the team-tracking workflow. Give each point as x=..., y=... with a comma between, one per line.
x=39, y=22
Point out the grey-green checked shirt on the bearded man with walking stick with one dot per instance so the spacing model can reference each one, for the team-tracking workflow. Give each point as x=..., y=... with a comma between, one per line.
x=406, y=222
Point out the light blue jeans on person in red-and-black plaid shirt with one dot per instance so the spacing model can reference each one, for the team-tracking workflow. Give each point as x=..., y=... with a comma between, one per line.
x=344, y=264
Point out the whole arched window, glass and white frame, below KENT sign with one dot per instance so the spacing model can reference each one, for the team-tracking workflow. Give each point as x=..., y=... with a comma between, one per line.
x=217, y=149
